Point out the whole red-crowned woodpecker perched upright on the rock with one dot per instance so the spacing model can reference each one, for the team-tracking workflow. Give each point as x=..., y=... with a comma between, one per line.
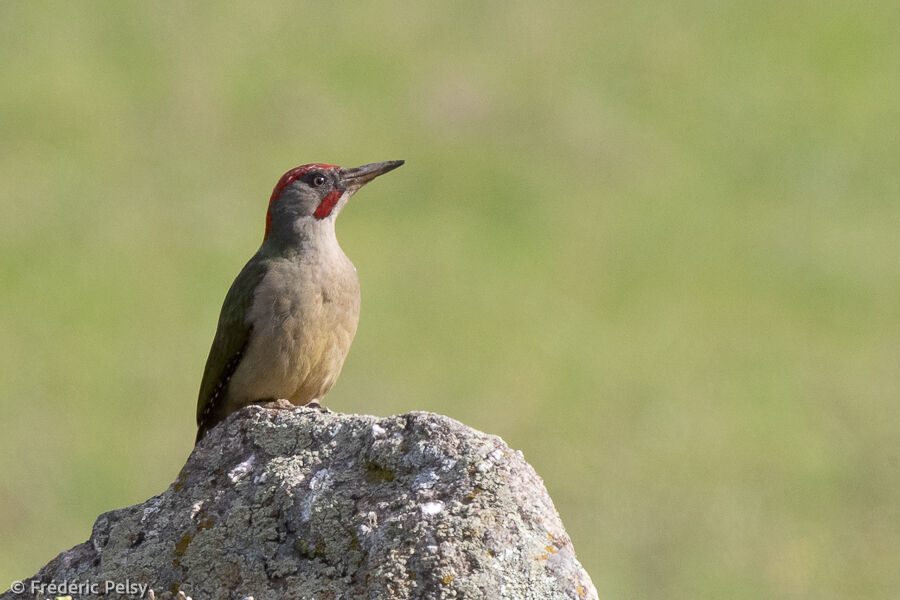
x=290, y=316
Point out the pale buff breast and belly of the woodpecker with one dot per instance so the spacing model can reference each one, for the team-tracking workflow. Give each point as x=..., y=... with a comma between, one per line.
x=302, y=331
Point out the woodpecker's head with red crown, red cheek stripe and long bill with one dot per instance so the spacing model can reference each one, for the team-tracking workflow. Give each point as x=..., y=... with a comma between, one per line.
x=318, y=192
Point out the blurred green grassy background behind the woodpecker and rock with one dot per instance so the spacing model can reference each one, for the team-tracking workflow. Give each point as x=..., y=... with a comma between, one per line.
x=652, y=245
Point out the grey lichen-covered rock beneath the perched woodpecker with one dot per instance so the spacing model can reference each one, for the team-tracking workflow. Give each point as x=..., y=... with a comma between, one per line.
x=299, y=503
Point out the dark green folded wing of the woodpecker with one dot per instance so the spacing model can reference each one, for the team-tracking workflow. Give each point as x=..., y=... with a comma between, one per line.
x=229, y=344
